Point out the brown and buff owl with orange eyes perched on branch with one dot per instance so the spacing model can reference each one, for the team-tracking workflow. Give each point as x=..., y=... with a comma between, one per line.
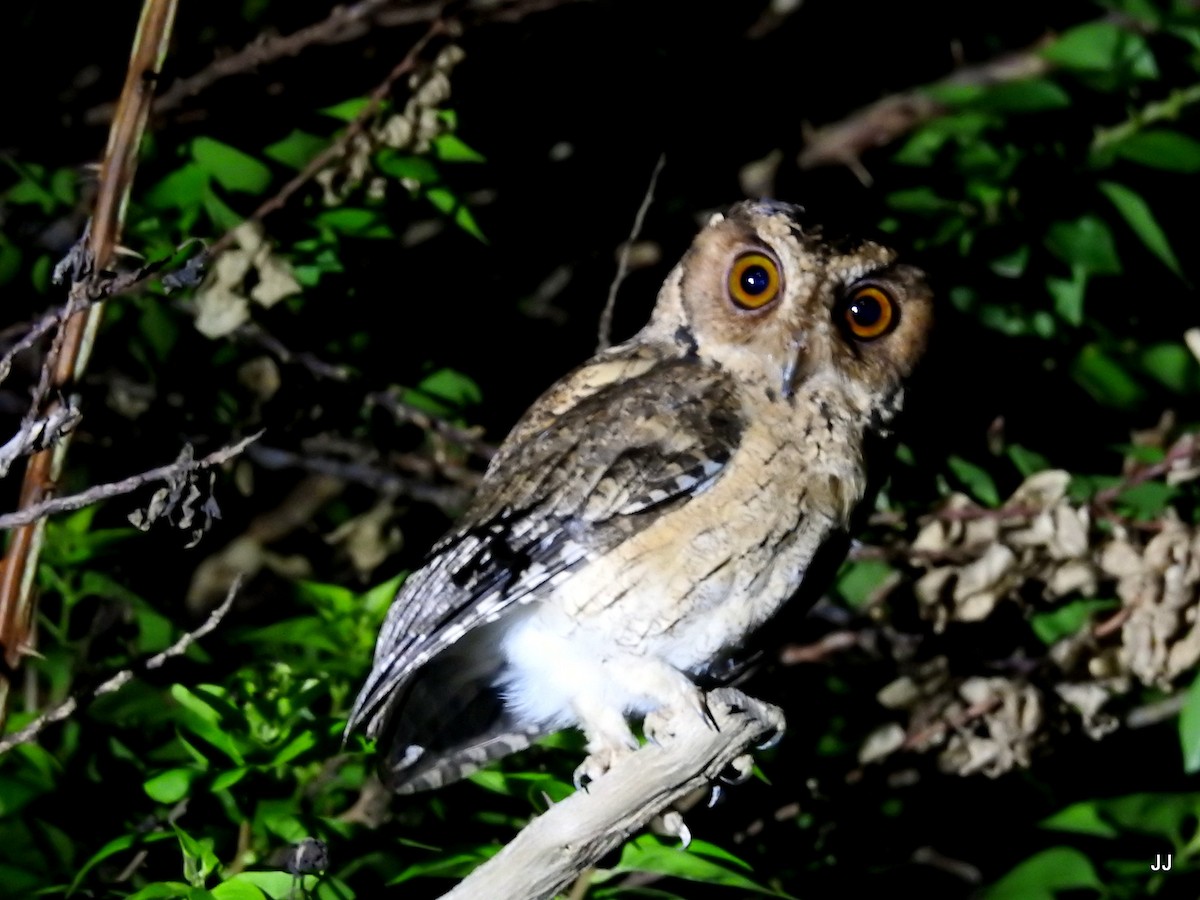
x=655, y=507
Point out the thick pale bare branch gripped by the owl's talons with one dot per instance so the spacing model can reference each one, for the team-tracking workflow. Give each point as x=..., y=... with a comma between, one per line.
x=554, y=849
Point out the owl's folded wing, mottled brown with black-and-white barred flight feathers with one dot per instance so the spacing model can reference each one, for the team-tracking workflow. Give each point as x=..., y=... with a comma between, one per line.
x=605, y=469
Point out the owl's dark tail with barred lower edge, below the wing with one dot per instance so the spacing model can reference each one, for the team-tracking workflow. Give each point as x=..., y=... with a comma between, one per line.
x=448, y=728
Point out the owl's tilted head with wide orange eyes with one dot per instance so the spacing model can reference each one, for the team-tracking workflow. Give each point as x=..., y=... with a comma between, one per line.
x=781, y=307
